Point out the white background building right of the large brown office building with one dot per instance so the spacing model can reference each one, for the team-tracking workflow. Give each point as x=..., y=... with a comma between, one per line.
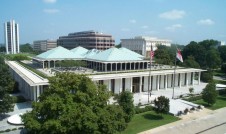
x=142, y=44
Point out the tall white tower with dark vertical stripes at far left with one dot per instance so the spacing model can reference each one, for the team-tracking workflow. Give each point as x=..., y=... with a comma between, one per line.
x=12, y=37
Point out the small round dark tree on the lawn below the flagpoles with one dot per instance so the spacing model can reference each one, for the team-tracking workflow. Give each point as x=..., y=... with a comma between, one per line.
x=161, y=105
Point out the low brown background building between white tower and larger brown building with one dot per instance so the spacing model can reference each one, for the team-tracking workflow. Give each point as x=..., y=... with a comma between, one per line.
x=44, y=45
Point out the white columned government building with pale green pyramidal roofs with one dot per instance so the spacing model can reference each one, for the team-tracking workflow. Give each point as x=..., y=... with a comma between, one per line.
x=119, y=69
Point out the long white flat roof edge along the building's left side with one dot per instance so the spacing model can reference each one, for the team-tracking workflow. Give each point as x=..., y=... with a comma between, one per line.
x=30, y=77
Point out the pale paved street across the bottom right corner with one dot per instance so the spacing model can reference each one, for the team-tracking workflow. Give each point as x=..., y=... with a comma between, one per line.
x=203, y=122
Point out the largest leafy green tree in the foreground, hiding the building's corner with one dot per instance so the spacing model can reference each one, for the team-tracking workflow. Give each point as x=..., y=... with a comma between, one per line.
x=74, y=104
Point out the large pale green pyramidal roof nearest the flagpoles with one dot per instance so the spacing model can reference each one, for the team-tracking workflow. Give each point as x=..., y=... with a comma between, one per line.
x=115, y=54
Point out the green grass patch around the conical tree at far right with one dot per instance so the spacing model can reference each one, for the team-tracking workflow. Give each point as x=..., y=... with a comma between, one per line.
x=220, y=103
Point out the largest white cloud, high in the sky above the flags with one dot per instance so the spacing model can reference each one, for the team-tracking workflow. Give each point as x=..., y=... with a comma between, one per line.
x=173, y=15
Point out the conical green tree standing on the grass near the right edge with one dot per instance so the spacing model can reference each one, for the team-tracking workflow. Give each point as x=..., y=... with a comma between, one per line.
x=209, y=93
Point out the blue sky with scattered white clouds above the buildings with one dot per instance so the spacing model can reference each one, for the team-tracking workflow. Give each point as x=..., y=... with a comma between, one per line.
x=181, y=21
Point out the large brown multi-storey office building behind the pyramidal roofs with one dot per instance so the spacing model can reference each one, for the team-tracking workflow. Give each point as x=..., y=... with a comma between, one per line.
x=87, y=39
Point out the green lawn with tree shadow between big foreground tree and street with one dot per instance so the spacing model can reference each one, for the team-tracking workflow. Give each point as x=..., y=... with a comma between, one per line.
x=148, y=120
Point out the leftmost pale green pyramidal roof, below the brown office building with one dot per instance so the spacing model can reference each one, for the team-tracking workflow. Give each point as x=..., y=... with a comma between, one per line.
x=59, y=53
